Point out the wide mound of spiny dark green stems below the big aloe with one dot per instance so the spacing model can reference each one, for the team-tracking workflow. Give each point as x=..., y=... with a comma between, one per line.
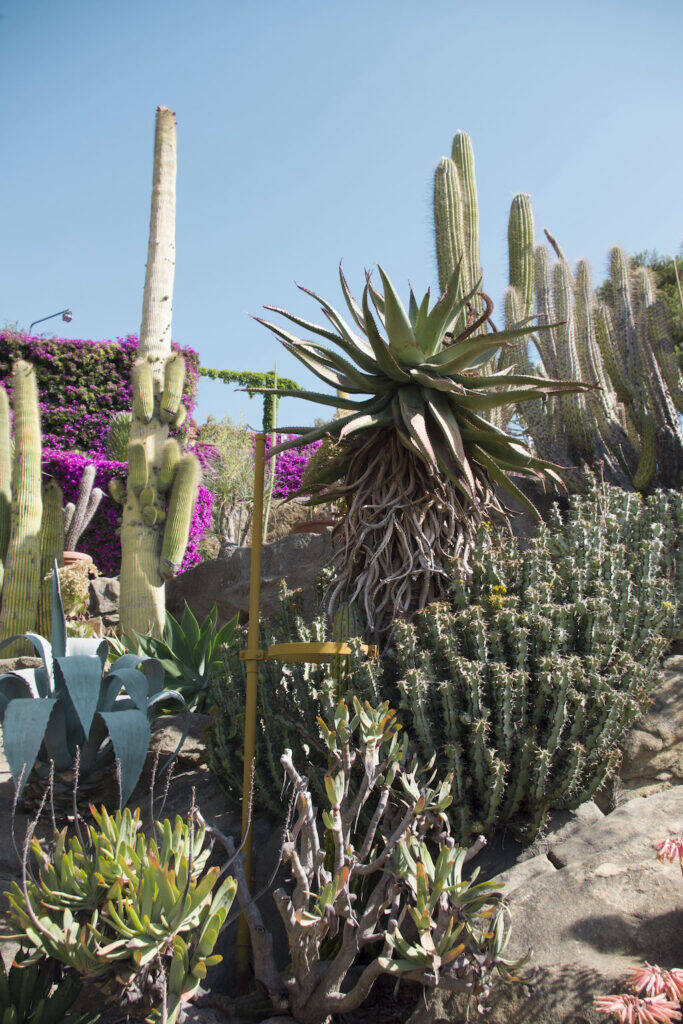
x=523, y=684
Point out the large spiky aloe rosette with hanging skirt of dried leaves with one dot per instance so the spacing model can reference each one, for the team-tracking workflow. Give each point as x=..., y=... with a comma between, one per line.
x=417, y=463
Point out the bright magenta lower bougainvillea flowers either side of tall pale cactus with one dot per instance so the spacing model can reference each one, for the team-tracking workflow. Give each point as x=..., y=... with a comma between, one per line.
x=102, y=539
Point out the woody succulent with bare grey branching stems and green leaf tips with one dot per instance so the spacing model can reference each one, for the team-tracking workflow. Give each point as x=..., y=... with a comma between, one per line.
x=376, y=876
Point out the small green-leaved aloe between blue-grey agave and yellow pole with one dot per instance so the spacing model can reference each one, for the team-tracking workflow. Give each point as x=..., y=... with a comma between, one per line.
x=191, y=655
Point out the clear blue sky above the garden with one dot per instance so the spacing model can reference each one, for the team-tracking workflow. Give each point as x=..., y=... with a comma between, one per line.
x=309, y=133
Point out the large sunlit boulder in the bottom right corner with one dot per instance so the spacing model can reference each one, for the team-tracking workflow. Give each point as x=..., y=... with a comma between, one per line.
x=596, y=904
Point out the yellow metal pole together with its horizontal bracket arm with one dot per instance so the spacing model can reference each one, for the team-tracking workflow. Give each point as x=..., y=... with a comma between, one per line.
x=297, y=653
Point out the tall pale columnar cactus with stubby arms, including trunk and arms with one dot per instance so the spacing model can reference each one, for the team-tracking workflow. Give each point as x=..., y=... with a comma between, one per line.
x=153, y=543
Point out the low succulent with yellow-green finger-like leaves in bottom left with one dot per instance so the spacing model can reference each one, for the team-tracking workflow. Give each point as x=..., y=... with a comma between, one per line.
x=136, y=916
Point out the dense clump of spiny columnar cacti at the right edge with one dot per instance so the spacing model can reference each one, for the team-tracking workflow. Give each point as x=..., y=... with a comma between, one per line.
x=627, y=430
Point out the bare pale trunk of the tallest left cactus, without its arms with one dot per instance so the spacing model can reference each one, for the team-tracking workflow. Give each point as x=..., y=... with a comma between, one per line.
x=143, y=602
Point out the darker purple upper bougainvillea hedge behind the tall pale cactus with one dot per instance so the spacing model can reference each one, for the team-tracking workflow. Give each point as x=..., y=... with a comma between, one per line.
x=82, y=385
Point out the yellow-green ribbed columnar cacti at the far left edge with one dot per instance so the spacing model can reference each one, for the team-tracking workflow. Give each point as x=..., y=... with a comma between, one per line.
x=31, y=517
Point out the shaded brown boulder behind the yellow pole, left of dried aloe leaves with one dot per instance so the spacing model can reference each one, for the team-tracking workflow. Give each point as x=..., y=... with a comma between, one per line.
x=225, y=582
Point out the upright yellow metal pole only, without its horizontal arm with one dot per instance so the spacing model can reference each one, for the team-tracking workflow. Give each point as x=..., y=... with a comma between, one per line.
x=251, y=658
